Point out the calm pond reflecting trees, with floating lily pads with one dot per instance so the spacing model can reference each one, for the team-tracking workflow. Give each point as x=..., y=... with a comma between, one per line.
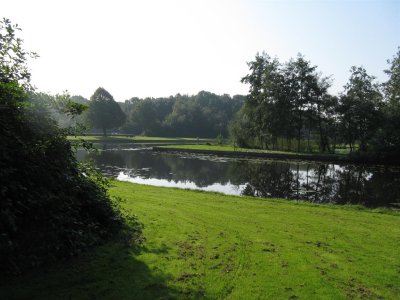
x=320, y=182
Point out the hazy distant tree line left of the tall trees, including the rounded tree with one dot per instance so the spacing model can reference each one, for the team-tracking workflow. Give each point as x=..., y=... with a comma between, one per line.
x=203, y=115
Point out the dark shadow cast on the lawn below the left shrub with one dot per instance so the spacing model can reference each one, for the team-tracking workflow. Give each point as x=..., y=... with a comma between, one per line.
x=110, y=272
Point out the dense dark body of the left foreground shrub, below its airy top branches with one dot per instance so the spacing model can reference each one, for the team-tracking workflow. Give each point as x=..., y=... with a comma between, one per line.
x=51, y=207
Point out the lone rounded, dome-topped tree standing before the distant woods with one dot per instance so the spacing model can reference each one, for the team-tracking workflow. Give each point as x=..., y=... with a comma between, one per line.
x=104, y=112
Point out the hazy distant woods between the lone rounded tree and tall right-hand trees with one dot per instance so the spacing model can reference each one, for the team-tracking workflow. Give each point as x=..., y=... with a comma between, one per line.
x=202, y=115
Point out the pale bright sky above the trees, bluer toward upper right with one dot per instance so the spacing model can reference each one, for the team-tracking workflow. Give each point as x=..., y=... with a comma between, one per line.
x=158, y=48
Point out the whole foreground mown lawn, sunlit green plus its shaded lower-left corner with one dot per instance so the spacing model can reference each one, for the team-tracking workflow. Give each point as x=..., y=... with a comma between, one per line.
x=206, y=245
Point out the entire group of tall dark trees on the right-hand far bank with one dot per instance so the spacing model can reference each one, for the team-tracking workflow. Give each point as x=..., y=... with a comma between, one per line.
x=289, y=108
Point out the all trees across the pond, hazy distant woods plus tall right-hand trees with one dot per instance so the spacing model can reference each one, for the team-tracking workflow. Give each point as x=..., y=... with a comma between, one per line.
x=288, y=108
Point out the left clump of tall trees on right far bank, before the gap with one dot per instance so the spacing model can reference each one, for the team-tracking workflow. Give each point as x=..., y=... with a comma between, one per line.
x=285, y=101
